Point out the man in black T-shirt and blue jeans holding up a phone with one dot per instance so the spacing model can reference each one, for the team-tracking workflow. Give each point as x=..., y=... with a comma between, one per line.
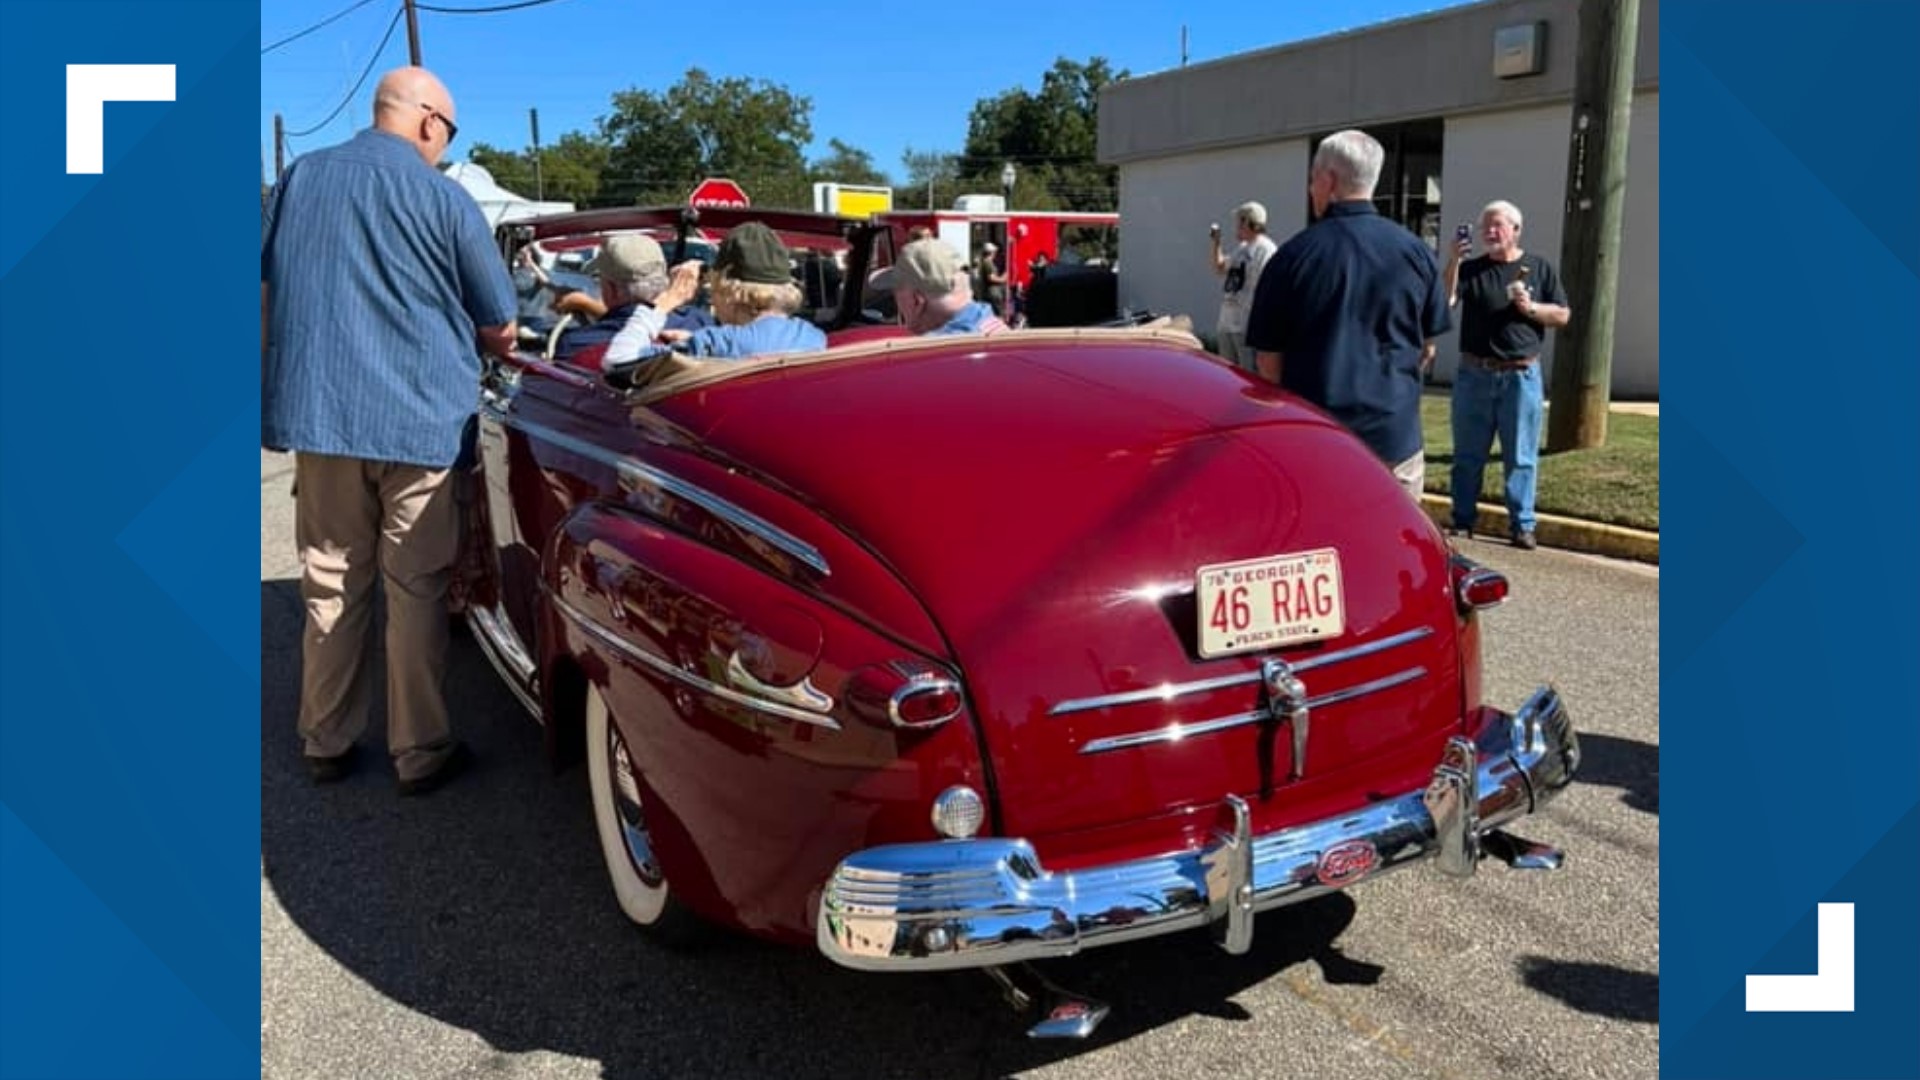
x=1508, y=299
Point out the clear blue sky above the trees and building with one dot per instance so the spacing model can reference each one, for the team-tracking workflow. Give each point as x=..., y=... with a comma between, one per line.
x=880, y=76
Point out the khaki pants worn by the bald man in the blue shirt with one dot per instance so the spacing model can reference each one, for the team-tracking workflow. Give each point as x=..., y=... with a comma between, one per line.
x=350, y=520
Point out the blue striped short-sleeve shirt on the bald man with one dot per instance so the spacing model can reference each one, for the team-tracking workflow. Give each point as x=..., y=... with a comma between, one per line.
x=377, y=270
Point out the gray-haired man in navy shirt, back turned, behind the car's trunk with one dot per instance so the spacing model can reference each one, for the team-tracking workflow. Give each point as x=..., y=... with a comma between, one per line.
x=1349, y=310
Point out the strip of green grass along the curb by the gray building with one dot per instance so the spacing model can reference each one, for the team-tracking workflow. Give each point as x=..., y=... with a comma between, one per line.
x=1618, y=483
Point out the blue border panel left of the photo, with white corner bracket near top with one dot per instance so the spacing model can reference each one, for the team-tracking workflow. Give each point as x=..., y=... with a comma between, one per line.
x=130, y=627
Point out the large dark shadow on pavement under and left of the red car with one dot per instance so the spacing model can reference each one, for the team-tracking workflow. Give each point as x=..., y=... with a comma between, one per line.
x=487, y=908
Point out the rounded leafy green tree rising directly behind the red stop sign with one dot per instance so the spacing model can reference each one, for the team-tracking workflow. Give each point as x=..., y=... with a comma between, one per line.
x=746, y=130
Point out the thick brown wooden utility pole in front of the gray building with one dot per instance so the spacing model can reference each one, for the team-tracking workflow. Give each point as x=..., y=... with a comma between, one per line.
x=1596, y=203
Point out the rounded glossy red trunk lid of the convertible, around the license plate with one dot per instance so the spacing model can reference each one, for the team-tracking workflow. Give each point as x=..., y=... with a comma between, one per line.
x=1053, y=508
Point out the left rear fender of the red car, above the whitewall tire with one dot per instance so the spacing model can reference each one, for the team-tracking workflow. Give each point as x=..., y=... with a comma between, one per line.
x=731, y=689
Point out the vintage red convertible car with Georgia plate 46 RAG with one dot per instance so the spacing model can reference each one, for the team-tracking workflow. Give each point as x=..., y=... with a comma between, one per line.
x=982, y=650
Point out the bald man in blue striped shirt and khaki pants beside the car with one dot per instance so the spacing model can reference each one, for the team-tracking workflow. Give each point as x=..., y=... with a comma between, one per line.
x=377, y=283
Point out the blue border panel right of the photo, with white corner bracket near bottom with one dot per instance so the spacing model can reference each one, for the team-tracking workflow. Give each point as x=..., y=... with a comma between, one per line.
x=1792, y=383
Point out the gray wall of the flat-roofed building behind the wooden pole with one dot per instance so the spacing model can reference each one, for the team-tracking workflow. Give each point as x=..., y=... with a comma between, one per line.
x=1195, y=143
